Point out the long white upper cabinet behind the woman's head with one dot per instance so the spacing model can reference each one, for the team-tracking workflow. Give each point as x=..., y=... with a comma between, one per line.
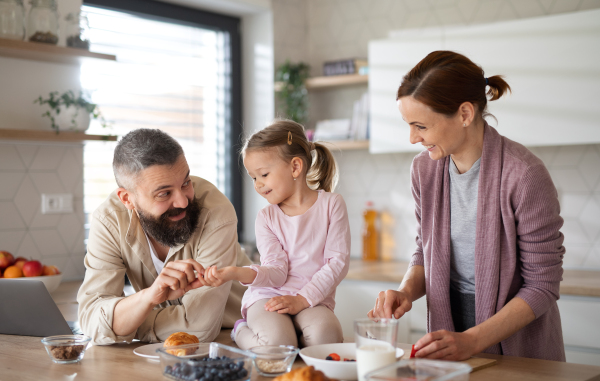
x=551, y=64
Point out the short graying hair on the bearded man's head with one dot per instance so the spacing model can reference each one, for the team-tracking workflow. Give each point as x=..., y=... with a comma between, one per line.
x=140, y=149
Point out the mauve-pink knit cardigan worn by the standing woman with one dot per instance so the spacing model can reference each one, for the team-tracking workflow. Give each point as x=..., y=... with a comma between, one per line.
x=518, y=247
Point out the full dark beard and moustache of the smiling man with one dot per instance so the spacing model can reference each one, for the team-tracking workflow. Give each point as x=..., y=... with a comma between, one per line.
x=171, y=233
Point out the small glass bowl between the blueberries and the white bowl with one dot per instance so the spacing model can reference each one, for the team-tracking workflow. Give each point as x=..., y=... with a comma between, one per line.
x=274, y=360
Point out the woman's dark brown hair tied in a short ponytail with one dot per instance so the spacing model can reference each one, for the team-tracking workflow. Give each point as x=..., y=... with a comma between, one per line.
x=444, y=80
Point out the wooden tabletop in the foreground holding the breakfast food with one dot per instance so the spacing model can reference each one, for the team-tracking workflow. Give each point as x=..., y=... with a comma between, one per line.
x=24, y=358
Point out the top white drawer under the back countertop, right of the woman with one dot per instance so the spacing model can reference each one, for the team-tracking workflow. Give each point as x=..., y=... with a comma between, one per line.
x=579, y=316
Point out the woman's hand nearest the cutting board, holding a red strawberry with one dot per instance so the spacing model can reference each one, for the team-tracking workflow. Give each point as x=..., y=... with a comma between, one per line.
x=445, y=345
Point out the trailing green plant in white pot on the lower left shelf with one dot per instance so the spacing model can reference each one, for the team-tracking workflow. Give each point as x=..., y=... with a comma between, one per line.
x=69, y=111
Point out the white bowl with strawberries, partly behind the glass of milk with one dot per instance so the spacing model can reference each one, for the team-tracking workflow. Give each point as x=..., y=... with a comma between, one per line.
x=340, y=370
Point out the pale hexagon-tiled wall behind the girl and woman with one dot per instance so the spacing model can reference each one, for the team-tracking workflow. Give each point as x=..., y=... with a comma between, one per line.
x=336, y=29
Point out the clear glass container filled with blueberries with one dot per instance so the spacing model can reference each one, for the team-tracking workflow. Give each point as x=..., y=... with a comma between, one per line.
x=205, y=362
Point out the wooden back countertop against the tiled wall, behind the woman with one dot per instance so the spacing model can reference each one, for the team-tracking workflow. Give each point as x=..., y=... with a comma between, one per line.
x=575, y=282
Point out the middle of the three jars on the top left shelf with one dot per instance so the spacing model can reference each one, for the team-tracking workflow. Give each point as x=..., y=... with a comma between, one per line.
x=42, y=22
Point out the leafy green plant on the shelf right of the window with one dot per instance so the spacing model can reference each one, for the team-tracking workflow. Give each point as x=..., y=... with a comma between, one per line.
x=291, y=90
